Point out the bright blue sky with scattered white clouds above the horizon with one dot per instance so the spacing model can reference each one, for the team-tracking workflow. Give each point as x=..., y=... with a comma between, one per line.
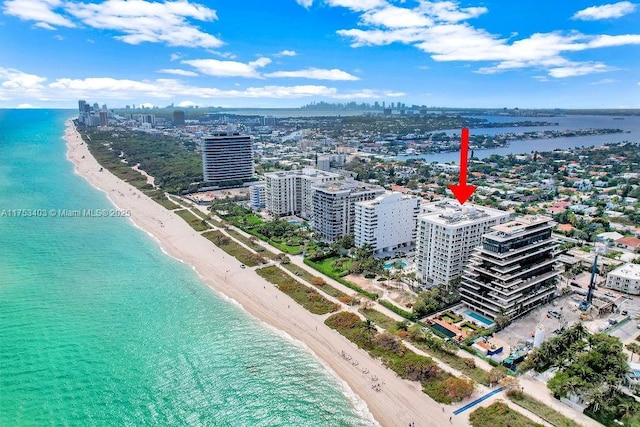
x=286, y=53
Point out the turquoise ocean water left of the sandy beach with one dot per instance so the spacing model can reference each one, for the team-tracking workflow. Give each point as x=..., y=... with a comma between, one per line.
x=99, y=327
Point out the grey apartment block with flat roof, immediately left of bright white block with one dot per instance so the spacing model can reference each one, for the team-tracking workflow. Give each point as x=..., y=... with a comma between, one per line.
x=334, y=206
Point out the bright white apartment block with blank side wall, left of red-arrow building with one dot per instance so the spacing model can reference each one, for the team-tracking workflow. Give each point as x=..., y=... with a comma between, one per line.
x=387, y=223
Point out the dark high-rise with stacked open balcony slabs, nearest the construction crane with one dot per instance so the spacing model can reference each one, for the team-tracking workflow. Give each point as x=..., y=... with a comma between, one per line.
x=514, y=270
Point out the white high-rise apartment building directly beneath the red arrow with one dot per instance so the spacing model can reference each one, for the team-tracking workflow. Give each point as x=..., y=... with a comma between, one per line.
x=446, y=235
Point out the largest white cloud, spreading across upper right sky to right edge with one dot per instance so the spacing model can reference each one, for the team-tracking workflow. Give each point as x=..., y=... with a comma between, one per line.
x=437, y=29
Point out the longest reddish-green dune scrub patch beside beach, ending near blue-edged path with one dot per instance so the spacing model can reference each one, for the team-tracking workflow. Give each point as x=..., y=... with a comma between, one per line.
x=439, y=385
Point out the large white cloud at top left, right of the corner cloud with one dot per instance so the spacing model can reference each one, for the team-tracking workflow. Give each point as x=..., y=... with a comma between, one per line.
x=141, y=21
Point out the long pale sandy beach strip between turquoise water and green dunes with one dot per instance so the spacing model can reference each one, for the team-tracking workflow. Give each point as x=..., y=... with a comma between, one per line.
x=399, y=402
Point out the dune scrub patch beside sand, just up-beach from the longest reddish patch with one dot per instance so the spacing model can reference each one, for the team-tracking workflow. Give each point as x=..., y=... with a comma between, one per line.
x=303, y=295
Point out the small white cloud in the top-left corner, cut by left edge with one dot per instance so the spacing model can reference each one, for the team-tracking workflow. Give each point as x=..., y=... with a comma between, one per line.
x=41, y=11
